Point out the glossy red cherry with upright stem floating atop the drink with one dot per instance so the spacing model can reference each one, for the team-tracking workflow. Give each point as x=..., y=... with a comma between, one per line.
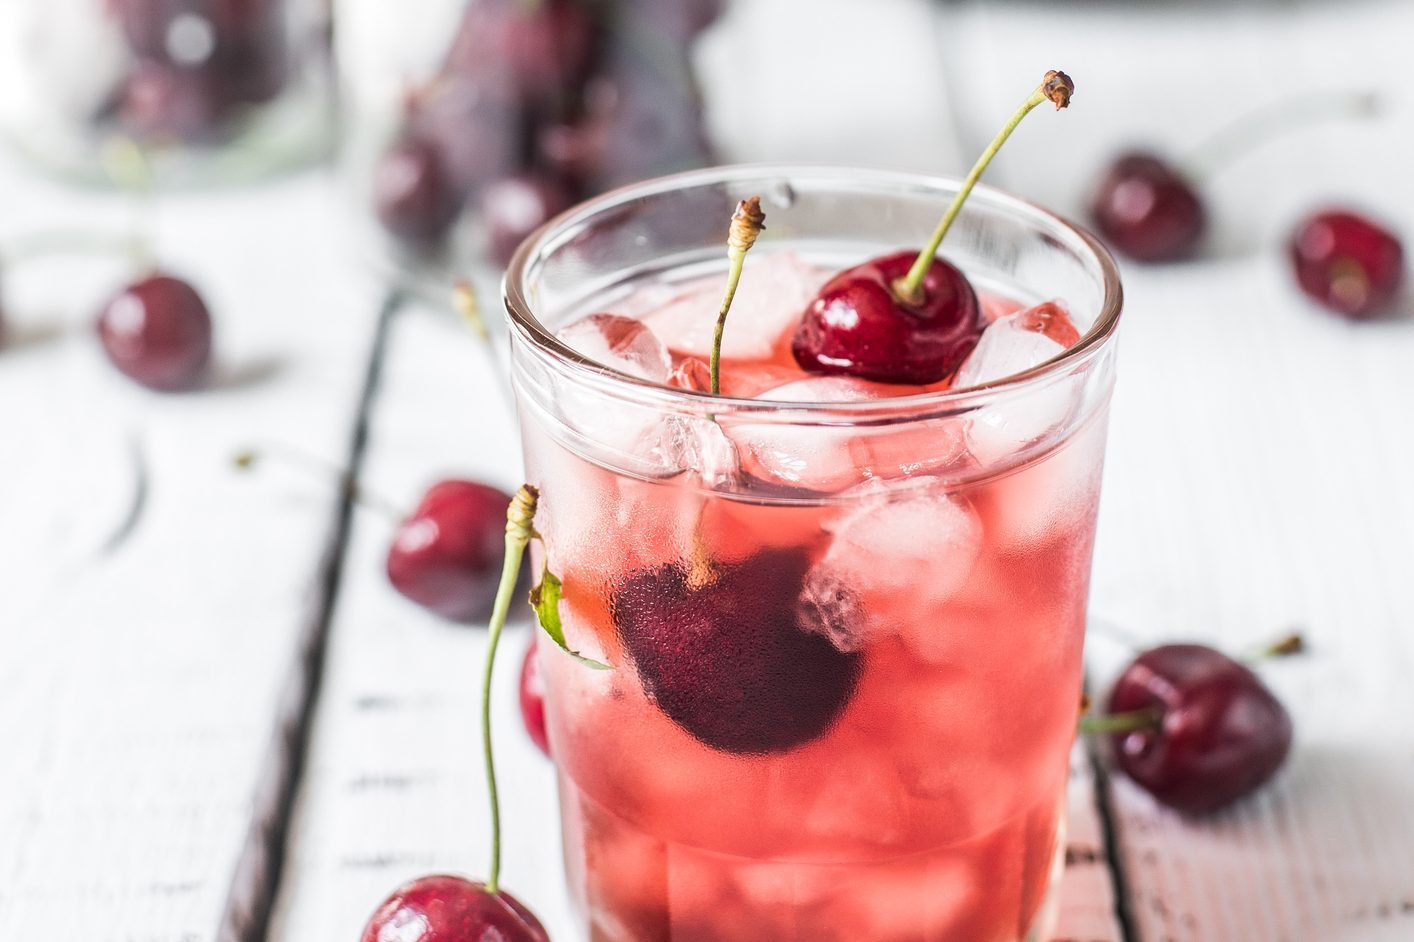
x=908, y=318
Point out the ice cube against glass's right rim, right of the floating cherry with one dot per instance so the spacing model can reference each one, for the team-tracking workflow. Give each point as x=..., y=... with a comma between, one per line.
x=1010, y=346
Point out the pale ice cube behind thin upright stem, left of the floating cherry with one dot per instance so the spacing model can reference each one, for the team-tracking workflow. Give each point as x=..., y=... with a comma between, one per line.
x=774, y=292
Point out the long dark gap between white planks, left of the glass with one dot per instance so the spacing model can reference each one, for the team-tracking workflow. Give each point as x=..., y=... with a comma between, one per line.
x=257, y=880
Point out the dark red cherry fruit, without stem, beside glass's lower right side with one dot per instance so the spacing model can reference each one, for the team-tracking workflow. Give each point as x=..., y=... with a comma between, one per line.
x=1222, y=733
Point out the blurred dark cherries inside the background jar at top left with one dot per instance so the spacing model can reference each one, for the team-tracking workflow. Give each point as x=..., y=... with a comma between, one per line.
x=197, y=64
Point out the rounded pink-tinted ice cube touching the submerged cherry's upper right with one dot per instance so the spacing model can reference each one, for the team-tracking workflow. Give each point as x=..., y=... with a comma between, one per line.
x=894, y=562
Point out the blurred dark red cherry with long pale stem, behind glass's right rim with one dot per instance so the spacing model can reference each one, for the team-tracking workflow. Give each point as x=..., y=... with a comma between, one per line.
x=1150, y=209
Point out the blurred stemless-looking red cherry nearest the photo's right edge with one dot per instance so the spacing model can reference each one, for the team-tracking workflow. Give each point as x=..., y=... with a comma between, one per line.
x=1347, y=262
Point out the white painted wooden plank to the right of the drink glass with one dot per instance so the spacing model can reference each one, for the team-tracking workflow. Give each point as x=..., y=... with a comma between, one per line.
x=1261, y=450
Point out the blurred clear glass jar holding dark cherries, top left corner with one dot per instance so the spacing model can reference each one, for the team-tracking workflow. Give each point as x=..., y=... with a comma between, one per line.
x=209, y=90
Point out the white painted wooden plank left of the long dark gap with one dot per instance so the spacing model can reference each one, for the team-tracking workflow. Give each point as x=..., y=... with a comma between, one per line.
x=138, y=688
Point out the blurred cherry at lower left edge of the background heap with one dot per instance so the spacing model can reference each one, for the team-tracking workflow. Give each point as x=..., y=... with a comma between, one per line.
x=414, y=194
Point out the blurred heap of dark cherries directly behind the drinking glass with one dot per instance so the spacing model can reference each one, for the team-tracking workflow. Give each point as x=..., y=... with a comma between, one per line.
x=539, y=104
